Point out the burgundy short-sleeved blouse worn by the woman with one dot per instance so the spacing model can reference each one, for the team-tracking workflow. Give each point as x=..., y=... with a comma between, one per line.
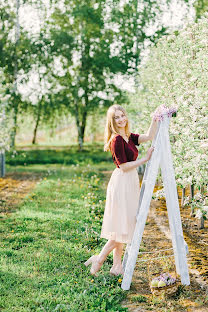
x=122, y=151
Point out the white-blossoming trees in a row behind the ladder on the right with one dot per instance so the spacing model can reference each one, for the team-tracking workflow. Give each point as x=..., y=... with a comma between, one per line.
x=179, y=79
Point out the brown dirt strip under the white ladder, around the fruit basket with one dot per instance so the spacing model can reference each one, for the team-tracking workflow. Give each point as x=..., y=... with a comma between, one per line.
x=191, y=298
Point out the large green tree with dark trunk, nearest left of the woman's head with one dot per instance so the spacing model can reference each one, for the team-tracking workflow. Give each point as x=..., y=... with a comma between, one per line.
x=85, y=80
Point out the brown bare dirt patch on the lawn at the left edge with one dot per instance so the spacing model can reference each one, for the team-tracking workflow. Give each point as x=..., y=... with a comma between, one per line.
x=14, y=187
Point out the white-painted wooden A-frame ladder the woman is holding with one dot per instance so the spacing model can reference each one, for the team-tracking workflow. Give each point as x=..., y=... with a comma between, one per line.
x=162, y=158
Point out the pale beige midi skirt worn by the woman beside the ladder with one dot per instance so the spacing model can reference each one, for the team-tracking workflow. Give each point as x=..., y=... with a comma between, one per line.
x=121, y=206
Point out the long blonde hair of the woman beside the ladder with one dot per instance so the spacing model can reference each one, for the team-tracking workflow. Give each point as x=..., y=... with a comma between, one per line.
x=111, y=129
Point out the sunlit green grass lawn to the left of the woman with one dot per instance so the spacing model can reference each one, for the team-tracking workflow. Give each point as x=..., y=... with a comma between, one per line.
x=45, y=242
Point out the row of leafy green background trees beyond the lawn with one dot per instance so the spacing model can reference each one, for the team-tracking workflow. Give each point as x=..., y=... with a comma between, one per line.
x=70, y=63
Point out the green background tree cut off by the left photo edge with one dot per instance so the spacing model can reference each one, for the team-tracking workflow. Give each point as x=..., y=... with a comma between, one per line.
x=16, y=60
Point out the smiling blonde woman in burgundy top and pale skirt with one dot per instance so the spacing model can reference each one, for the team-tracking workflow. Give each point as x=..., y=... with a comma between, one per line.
x=123, y=188
